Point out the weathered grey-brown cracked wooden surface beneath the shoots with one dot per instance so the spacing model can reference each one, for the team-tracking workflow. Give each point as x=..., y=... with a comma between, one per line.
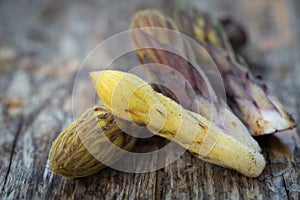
x=38, y=59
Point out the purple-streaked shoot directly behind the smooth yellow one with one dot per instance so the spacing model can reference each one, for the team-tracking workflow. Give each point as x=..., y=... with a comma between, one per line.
x=209, y=105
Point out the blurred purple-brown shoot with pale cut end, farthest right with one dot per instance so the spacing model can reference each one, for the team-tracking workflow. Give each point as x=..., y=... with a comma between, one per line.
x=250, y=99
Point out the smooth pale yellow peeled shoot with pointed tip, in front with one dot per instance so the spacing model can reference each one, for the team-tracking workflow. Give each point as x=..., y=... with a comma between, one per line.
x=130, y=98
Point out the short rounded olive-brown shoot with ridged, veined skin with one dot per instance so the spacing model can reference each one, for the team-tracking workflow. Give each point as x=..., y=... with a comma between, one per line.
x=78, y=149
